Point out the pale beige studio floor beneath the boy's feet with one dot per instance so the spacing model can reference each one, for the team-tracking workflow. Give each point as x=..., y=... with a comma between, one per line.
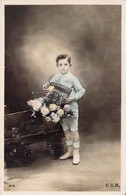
x=98, y=170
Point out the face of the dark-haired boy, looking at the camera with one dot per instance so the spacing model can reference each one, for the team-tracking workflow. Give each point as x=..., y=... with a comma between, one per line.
x=63, y=66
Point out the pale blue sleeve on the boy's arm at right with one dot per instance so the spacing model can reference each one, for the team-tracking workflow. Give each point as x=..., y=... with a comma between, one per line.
x=79, y=90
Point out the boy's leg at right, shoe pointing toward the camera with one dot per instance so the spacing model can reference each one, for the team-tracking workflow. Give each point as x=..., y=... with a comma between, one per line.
x=76, y=147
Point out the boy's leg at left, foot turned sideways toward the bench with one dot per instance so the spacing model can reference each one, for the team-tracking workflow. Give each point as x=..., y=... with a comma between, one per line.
x=69, y=143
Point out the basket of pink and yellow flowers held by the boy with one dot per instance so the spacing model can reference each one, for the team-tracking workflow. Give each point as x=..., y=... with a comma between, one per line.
x=52, y=105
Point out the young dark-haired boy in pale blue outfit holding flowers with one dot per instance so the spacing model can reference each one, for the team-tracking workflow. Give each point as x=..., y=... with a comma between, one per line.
x=69, y=125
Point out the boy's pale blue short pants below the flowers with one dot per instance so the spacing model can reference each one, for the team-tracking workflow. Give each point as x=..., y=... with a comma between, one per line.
x=70, y=123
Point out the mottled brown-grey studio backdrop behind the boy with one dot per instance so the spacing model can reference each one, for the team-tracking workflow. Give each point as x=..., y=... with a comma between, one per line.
x=90, y=34
